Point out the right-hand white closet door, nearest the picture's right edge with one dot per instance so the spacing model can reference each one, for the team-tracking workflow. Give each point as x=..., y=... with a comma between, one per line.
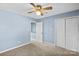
x=71, y=33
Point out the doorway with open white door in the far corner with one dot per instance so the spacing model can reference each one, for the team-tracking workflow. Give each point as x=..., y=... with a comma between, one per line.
x=36, y=31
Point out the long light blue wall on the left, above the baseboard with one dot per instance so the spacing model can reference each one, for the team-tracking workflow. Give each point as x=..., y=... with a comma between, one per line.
x=14, y=30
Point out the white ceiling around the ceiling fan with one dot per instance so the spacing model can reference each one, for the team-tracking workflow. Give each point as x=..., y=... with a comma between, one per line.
x=23, y=8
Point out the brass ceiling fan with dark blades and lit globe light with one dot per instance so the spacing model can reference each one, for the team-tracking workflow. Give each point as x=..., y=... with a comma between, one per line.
x=39, y=10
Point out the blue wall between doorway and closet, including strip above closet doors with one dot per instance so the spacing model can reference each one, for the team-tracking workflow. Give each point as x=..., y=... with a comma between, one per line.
x=48, y=25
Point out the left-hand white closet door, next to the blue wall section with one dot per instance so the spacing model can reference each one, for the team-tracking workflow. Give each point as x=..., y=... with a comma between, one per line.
x=60, y=32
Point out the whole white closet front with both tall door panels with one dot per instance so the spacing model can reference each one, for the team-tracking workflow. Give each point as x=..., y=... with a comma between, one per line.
x=67, y=33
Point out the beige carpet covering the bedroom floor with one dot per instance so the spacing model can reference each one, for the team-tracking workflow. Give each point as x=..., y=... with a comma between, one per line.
x=39, y=49
